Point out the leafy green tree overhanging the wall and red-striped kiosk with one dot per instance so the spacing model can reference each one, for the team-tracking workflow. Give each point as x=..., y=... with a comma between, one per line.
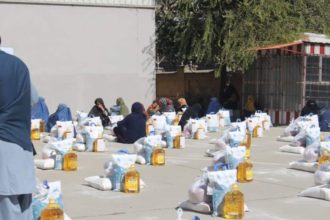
x=225, y=33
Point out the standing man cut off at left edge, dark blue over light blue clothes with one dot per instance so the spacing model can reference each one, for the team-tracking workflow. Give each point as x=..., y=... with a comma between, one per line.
x=17, y=177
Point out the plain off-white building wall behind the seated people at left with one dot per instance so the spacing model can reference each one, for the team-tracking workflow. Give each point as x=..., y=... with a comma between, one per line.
x=77, y=53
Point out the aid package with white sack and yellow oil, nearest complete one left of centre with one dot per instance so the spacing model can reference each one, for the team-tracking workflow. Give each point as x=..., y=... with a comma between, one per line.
x=116, y=173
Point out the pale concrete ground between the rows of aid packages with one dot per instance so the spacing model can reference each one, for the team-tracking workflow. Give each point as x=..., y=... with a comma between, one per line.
x=272, y=194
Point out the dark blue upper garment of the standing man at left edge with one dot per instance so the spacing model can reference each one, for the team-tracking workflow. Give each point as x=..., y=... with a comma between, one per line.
x=15, y=102
